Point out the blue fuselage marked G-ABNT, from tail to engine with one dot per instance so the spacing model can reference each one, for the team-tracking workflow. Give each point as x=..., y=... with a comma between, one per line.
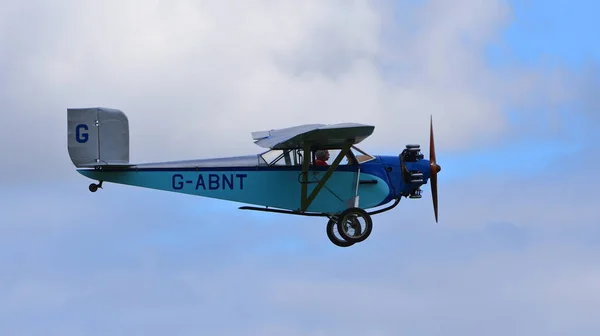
x=249, y=180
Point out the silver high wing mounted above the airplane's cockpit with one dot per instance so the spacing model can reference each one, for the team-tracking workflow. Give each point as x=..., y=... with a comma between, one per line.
x=320, y=135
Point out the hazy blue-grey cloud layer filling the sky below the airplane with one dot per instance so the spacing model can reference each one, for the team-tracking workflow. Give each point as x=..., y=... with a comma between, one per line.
x=502, y=260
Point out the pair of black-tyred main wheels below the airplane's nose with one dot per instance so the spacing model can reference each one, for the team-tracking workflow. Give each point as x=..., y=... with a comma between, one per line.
x=354, y=225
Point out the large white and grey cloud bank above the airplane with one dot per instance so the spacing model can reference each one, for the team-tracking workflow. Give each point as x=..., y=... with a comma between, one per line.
x=196, y=77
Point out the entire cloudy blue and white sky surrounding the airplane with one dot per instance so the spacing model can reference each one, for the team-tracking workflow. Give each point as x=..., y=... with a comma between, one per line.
x=513, y=88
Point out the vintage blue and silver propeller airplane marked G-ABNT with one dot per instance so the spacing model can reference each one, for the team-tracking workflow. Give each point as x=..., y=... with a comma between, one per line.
x=282, y=179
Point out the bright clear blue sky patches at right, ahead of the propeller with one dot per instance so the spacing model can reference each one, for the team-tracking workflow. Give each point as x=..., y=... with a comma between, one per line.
x=546, y=35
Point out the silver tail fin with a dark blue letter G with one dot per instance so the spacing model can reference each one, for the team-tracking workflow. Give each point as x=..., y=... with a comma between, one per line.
x=98, y=137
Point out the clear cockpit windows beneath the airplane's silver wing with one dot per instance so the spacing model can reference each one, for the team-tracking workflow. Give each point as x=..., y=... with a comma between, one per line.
x=294, y=157
